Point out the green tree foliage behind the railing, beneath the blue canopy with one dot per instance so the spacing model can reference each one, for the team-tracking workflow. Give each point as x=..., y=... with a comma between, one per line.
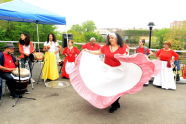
x=10, y=31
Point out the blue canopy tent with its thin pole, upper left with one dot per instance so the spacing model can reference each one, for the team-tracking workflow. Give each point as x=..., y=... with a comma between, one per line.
x=21, y=11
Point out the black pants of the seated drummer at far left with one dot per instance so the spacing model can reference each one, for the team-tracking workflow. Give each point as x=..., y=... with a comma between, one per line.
x=9, y=81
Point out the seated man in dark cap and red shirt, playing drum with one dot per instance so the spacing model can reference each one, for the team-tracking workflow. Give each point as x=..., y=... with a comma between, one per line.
x=7, y=65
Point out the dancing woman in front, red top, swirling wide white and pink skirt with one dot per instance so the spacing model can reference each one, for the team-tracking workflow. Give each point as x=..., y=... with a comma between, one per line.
x=102, y=83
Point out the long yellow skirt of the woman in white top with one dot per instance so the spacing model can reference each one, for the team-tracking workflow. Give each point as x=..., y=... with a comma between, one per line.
x=50, y=69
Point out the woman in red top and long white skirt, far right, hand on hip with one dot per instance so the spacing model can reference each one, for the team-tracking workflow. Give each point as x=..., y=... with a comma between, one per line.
x=165, y=78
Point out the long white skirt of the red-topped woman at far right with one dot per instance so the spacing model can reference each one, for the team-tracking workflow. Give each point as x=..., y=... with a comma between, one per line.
x=165, y=78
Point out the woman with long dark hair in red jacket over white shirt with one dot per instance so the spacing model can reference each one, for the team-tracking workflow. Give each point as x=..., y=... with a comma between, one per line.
x=26, y=47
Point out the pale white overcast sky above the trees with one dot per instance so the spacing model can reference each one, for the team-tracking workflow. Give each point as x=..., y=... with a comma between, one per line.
x=125, y=14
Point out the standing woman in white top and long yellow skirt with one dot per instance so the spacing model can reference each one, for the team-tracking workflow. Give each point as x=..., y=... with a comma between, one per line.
x=51, y=48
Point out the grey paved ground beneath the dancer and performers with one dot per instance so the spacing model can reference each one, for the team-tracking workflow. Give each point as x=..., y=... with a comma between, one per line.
x=64, y=106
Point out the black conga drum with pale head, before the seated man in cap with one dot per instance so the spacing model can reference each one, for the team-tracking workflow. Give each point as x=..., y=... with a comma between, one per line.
x=22, y=82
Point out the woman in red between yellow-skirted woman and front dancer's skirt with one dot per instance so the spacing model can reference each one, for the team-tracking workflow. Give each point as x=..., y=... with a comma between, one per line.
x=70, y=53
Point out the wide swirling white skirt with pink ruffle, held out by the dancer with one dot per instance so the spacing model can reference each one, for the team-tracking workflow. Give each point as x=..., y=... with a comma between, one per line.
x=101, y=84
